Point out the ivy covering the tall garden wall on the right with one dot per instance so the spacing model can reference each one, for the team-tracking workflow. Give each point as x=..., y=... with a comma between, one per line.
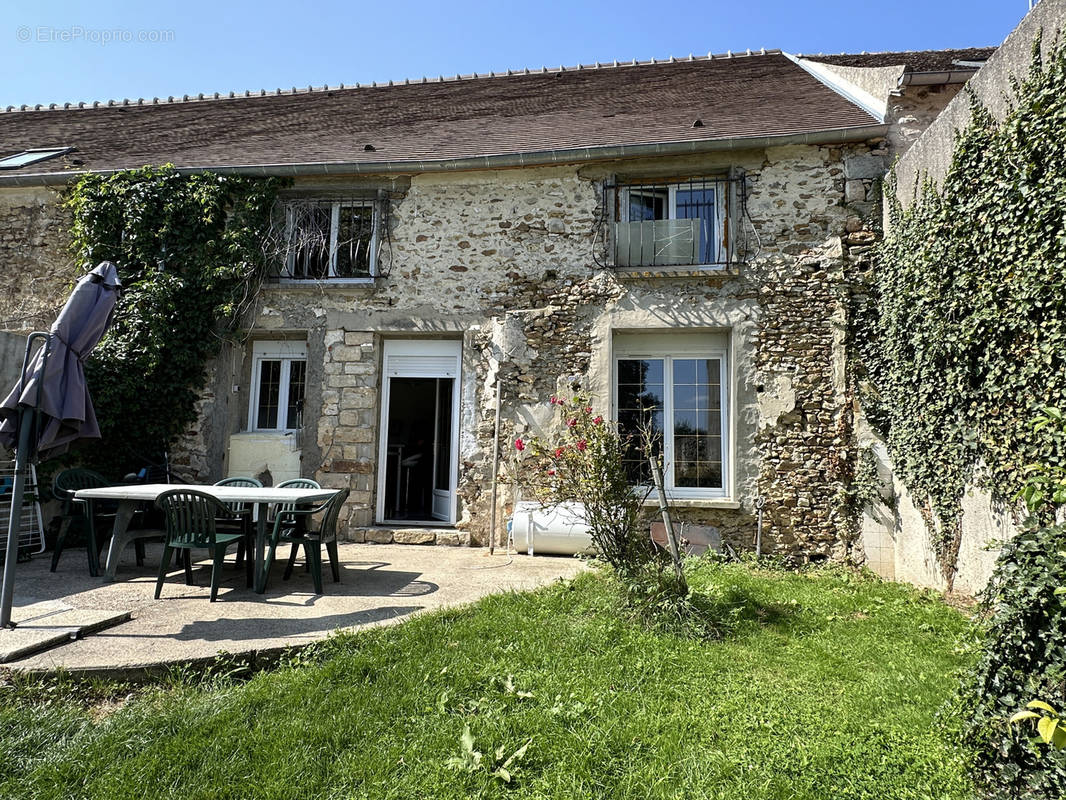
x=962, y=334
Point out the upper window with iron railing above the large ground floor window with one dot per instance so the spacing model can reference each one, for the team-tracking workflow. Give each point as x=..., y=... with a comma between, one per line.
x=673, y=223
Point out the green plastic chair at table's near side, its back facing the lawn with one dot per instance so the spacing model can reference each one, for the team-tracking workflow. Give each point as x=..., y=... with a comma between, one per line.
x=191, y=518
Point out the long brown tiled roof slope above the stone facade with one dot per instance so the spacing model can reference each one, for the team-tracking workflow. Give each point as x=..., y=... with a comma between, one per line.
x=752, y=95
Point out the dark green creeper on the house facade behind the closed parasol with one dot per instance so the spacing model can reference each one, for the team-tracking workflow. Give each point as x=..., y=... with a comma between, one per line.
x=190, y=254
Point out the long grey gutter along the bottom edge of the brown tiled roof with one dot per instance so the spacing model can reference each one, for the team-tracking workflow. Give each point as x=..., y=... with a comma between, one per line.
x=534, y=158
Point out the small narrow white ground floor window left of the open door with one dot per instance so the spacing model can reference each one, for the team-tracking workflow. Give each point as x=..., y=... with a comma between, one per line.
x=279, y=380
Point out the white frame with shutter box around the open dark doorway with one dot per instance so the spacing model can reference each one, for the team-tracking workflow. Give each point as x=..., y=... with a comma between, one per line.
x=419, y=359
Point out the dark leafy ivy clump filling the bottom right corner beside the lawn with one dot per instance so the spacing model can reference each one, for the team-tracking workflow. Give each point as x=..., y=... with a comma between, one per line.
x=1021, y=657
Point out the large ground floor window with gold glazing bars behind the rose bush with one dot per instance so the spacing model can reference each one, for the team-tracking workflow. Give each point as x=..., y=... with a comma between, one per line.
x=675, y=387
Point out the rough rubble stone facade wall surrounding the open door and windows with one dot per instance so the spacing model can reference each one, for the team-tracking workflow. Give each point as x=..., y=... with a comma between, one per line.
x=474, y=254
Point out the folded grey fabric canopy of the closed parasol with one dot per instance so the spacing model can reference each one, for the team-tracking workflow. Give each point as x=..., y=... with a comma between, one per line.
x=58, y=370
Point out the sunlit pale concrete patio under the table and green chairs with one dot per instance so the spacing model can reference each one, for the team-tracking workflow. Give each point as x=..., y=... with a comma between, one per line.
x=380, y=585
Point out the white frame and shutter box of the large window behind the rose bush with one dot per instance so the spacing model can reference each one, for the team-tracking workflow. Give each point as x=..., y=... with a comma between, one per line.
x=684, y=346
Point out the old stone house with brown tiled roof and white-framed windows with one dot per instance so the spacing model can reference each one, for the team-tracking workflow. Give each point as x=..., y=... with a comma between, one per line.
x=677, y=236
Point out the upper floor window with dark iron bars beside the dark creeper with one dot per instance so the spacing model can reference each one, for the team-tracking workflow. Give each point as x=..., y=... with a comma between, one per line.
x=328, y=241
